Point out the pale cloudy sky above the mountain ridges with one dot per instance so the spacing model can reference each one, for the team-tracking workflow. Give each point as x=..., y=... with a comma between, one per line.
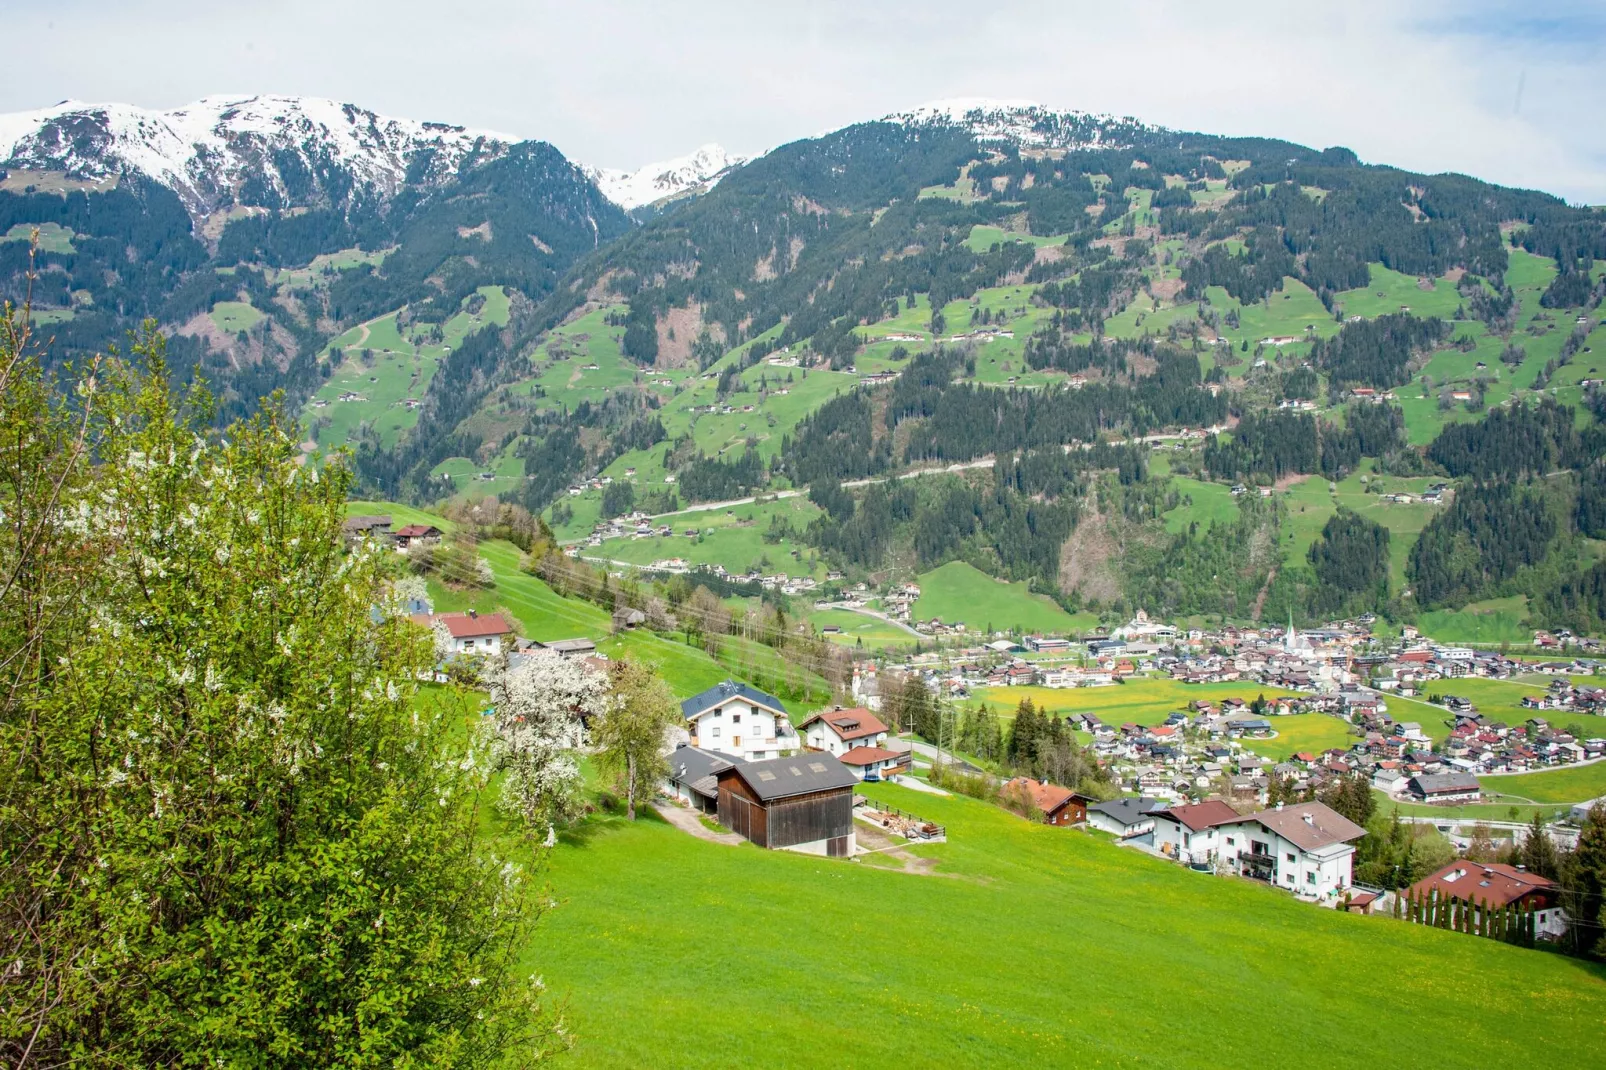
x=1506, y=91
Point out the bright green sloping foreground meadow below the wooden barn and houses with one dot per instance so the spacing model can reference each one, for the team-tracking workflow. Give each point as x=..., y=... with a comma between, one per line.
x=948, y=971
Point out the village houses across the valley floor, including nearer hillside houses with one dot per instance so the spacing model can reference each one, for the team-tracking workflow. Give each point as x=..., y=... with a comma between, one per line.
x=1226, y=782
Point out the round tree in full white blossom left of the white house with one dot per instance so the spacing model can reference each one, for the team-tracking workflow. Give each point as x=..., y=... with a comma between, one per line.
x=540, y=713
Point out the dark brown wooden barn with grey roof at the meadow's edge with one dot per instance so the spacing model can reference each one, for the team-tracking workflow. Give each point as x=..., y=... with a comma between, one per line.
x=801, y=804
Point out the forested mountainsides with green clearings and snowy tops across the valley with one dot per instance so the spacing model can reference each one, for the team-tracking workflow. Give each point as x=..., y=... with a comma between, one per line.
x=1204, y=375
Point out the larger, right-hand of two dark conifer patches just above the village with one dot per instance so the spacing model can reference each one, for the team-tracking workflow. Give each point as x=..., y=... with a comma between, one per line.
x=1486, y=536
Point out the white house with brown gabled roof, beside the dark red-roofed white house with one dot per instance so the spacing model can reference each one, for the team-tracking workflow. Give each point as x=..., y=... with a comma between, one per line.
x=1306, y=849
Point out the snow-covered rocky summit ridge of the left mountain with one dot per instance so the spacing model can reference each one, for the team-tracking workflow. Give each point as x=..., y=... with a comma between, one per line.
x=261, y=150
